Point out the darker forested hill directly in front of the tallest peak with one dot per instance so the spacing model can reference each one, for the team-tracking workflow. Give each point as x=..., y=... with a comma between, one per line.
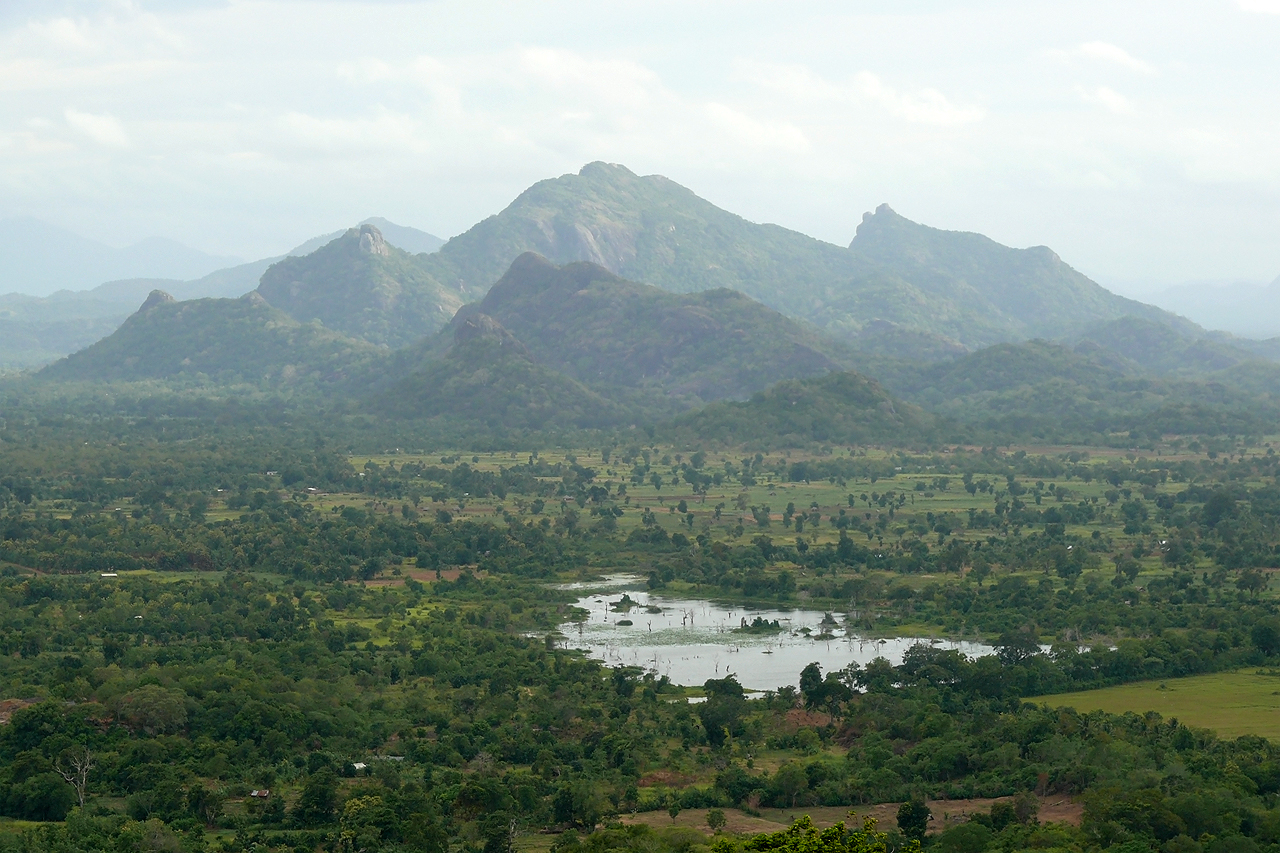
x=615, y=335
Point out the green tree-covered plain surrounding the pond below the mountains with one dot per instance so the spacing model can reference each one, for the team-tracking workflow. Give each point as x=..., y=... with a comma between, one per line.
x=377, y=642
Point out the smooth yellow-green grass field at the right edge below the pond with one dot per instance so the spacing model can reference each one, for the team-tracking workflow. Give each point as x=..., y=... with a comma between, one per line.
x=1232, y=704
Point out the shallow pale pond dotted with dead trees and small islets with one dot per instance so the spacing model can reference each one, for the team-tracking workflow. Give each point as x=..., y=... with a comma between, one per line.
x=693, y=641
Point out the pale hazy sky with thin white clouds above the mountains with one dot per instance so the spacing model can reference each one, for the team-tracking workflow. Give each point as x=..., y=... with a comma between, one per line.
x=1140, y=140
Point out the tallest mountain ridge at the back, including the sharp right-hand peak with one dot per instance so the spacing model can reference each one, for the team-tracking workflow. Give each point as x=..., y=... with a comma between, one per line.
x=938, y=289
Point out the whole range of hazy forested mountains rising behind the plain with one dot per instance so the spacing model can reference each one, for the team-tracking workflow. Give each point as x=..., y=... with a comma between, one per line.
x=653, y=303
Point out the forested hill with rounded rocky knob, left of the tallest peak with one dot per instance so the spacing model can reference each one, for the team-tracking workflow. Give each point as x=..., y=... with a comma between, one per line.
x=363, y=286
